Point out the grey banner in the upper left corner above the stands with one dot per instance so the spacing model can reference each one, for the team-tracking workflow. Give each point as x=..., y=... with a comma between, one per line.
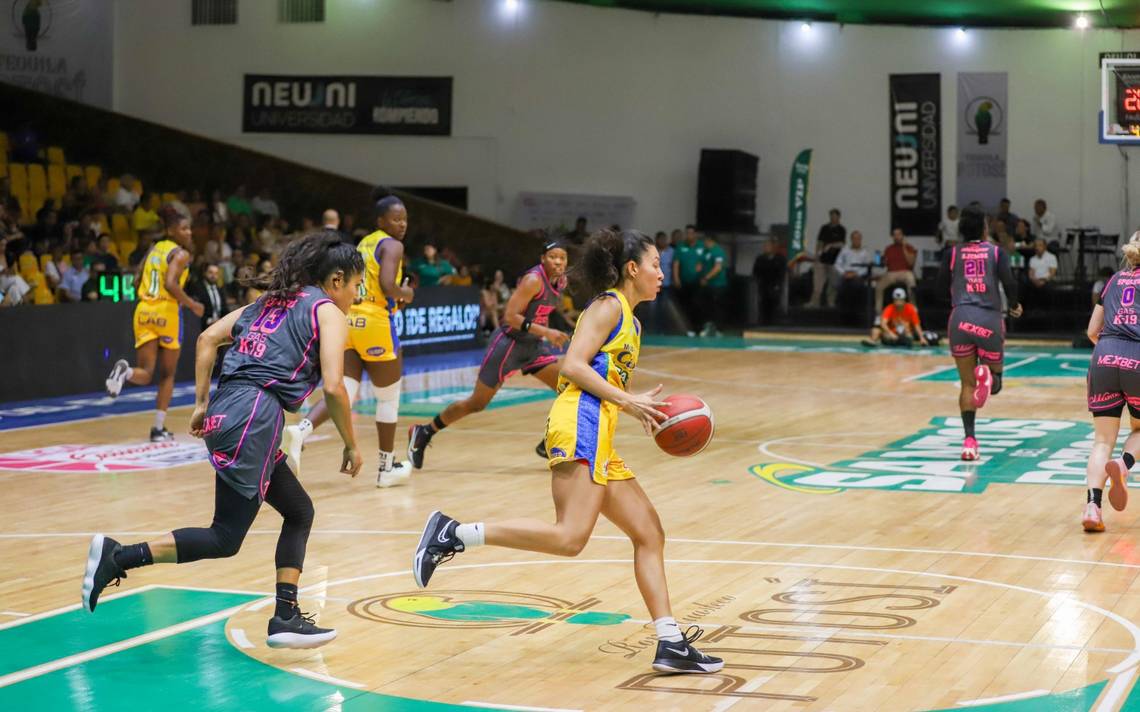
x=60, y=48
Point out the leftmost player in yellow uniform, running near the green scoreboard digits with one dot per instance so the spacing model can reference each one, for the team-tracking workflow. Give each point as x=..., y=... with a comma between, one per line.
x=159, y=320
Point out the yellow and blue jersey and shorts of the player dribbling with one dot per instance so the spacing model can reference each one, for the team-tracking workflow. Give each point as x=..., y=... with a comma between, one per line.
x=581, y=427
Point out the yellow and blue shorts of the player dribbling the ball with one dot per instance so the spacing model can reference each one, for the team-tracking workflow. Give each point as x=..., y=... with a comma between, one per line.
x=581, y=430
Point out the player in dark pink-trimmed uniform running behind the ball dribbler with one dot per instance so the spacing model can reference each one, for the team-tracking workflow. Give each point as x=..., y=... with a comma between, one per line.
x=518, y=346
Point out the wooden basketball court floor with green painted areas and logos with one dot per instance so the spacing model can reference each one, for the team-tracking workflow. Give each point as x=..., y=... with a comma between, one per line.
x=829, y=542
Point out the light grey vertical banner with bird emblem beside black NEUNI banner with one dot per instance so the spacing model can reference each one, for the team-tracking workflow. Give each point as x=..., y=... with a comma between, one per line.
x=983, y=135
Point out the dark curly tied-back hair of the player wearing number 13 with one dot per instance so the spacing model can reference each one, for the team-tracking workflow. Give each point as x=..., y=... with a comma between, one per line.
x=310, y=261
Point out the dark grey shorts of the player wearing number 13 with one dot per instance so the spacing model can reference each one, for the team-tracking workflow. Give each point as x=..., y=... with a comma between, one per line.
x=243, y=431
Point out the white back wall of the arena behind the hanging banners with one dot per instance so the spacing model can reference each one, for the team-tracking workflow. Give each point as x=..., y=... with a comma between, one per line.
x=580, y=100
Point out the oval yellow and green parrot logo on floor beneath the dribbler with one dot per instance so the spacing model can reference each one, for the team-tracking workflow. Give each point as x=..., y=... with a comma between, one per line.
x=473, y=609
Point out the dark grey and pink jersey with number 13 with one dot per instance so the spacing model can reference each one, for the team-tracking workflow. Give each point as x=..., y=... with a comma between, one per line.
x=276, y=347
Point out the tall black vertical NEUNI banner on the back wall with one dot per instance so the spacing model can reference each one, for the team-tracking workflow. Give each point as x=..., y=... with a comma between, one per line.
x=916, y=153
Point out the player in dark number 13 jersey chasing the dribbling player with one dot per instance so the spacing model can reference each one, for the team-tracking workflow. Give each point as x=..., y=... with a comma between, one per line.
x=288, y=341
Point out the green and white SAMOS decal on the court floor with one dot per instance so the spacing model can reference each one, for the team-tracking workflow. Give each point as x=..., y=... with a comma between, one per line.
x=1013, y=452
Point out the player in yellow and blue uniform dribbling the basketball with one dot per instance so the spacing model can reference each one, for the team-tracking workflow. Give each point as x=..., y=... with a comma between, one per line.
x=622, y=269
